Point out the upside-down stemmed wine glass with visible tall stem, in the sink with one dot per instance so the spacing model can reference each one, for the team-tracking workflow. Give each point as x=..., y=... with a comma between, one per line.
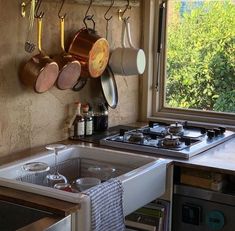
x=55, y=178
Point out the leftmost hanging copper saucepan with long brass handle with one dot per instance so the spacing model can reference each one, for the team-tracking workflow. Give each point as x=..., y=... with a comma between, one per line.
x=40, y=72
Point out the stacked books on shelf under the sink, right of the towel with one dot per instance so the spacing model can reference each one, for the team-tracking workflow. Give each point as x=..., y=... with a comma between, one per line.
x=152, y=217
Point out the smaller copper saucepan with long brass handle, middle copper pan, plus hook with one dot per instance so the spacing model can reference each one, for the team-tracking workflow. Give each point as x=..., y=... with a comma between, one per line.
x=70, y=68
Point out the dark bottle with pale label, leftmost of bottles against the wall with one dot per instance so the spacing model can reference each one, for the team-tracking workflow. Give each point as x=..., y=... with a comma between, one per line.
x=79, y=123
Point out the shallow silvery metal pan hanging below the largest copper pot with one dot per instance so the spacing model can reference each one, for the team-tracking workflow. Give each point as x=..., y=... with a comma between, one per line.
x=109, y=87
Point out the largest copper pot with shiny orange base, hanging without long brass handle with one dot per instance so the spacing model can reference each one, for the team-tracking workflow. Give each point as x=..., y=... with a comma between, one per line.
x=91, y=51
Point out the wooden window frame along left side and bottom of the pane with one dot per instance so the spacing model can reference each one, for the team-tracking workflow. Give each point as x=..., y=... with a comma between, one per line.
x=152, y=100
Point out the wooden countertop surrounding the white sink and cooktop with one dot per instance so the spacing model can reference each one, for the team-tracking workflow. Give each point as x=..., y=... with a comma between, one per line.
x=220, y=158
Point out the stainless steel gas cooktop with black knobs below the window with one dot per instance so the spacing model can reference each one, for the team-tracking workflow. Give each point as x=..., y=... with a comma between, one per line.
x=177, y=140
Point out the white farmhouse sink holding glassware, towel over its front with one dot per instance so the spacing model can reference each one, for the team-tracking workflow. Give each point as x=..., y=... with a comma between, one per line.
x=143, y=177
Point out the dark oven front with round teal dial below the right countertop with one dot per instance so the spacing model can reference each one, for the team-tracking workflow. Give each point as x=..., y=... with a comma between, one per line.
x=197, y=209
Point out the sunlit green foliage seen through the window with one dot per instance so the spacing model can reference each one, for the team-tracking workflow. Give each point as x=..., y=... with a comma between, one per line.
x=200, y=55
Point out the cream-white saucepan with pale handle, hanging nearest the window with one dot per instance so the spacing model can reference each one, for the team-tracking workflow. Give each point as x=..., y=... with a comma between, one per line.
x=127, y=60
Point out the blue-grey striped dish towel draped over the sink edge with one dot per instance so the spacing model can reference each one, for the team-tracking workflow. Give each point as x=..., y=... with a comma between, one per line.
x=107, y=206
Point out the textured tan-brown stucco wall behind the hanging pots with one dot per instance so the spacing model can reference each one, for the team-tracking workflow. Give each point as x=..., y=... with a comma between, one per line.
x=28, y=119
